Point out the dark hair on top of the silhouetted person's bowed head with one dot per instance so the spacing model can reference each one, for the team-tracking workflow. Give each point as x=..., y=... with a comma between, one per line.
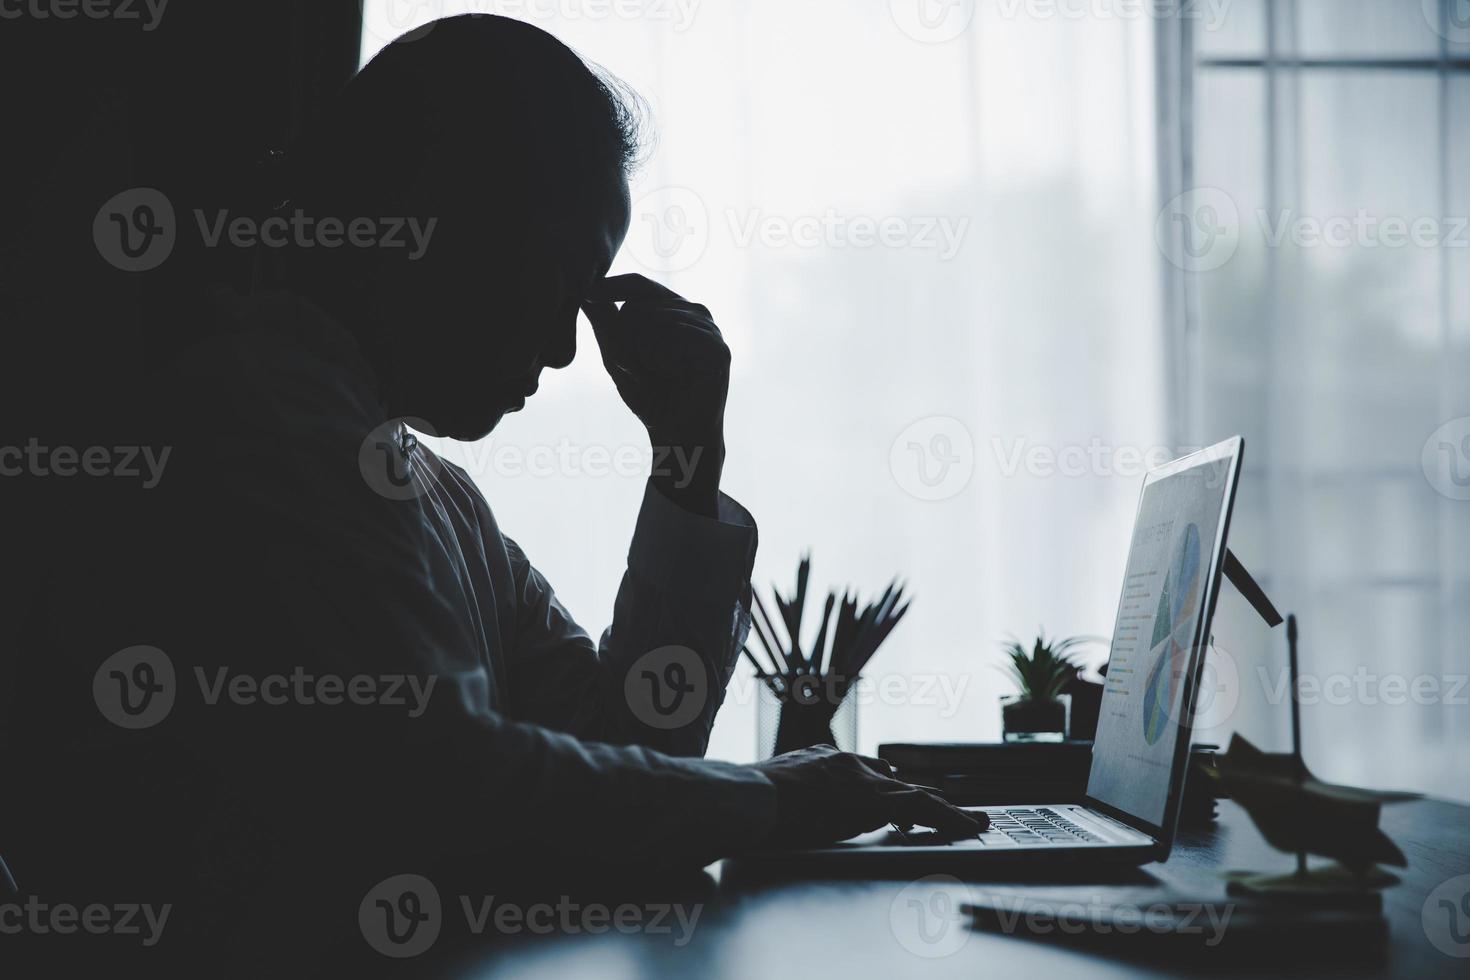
x=542, y=124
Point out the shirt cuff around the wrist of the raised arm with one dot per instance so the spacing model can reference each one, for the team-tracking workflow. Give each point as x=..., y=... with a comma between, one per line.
x=693, y=556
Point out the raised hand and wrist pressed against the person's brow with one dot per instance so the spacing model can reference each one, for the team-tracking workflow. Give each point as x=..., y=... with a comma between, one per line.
x=673, y=368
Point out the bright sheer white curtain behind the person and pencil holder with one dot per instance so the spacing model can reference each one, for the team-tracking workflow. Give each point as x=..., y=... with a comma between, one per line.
x=927, y=231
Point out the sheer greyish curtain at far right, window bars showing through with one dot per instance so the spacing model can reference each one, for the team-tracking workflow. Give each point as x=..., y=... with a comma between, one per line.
x=1333, y=142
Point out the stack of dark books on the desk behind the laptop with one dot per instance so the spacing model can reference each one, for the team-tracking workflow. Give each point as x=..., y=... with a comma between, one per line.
x=1008, y=774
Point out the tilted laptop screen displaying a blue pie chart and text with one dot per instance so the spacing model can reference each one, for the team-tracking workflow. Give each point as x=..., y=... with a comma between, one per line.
x=1172, y=566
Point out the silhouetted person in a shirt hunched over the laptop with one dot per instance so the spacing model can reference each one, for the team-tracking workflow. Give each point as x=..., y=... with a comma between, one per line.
x=302, y=534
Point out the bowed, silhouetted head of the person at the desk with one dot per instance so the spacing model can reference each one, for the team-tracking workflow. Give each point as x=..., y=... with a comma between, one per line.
x=520, y=154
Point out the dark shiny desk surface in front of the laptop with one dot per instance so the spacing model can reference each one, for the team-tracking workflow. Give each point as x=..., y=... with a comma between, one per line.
x=871, y=929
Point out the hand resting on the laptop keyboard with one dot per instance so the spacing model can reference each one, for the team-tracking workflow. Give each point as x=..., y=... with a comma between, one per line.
x=824, y=797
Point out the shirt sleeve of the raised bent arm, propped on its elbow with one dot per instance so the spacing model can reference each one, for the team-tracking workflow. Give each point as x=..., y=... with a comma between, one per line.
x=659, y=675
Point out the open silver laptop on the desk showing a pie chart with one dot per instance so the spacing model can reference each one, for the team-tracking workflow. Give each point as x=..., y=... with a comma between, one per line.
x=1141, y=753
